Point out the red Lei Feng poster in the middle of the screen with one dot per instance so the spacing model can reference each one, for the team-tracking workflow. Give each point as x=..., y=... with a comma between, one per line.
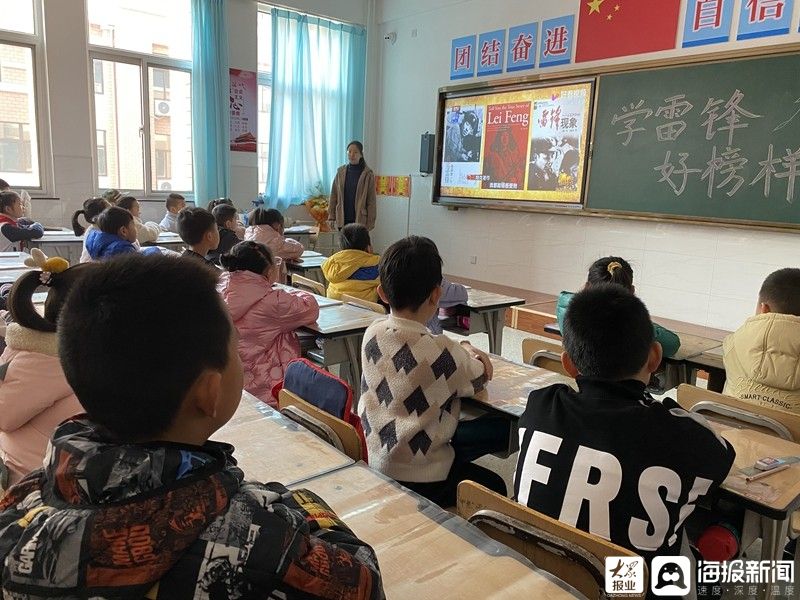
x=506, y=142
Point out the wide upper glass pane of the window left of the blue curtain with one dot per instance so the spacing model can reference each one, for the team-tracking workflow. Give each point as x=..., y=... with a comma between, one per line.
x=160, y=27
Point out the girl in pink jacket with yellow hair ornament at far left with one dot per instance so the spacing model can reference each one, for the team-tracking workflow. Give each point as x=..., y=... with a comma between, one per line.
x=34, y=394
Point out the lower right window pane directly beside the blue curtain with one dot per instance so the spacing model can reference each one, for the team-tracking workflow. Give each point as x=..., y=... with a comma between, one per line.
x=170, y=129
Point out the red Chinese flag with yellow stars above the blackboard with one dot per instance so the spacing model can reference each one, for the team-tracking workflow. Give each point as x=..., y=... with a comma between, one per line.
x=609, y=28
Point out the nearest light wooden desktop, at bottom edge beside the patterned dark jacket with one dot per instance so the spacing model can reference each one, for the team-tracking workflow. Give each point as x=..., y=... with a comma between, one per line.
x=425, y=552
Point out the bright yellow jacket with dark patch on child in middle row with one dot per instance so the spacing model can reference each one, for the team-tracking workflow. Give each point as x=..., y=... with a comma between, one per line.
x=352, y=272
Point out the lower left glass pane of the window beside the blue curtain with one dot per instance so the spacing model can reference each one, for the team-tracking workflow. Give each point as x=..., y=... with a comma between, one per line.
x=118, y=112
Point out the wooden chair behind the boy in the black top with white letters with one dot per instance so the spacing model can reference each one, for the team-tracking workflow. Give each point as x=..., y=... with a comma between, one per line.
x=574, y=556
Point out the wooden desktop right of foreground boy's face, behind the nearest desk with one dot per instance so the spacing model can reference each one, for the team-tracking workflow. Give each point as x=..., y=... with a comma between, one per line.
x=270, y=447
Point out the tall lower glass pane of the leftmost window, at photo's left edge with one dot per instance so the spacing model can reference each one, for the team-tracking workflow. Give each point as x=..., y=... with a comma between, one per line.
x=19, y=155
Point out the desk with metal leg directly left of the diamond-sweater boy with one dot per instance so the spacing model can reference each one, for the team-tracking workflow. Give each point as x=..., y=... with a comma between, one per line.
x=341, y=328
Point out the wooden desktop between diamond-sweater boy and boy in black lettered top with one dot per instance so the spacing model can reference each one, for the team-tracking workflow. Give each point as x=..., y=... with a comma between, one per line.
x=511, y=384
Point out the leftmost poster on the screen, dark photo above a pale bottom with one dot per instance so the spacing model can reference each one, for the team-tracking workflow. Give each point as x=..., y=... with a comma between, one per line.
x=461, y=164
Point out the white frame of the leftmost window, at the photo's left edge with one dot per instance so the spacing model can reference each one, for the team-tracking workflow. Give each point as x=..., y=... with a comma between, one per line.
x=41, y=116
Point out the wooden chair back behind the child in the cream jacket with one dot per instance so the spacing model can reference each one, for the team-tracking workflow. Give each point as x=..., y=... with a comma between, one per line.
x=728, y=409
